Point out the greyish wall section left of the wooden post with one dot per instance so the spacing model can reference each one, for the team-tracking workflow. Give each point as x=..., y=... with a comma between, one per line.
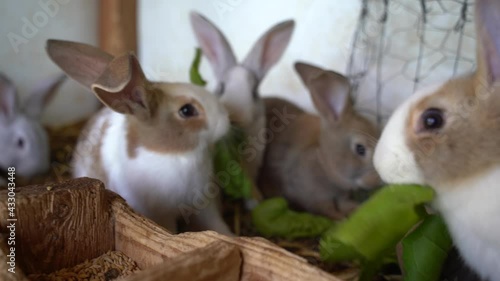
x=22, y=52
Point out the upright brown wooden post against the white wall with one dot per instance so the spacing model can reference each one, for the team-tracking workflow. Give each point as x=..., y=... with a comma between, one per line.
x=118, y=26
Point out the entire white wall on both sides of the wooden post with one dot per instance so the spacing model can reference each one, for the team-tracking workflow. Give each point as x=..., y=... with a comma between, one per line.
x=323, y=36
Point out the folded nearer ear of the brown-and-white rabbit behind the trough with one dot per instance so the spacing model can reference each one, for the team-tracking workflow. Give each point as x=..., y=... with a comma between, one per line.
x=122, y=87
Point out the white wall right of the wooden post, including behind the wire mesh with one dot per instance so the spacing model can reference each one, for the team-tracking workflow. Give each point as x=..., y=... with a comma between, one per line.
x=323, y=36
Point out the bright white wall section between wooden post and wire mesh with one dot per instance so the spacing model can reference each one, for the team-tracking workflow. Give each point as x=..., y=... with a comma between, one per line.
x=322, y=36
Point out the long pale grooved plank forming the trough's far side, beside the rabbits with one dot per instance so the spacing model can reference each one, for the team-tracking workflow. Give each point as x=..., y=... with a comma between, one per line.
x=149, y=244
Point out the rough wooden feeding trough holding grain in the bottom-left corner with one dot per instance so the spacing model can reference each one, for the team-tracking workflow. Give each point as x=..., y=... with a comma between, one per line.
x=67, y=225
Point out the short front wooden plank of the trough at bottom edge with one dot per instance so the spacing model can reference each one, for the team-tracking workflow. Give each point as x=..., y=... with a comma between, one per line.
x=217, y=261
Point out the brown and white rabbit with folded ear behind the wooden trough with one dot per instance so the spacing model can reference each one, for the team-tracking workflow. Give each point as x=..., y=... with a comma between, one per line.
x=151, y=143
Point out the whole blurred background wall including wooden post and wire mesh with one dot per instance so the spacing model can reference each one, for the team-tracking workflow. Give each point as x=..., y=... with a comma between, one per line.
x=389, y=48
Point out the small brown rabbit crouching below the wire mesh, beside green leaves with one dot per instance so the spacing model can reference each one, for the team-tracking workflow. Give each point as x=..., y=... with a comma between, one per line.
x=316, y=161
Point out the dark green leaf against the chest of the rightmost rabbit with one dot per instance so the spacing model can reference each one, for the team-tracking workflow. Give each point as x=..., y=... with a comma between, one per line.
x=426, y=249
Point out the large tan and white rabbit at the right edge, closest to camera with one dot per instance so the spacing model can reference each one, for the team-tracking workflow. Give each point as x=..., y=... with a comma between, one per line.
x=448, y=137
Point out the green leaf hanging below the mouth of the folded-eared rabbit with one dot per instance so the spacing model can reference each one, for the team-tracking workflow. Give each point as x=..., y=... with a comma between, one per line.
x=228, y=169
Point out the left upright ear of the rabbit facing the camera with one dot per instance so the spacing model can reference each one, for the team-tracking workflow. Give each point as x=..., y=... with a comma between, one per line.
x=214, y=45
